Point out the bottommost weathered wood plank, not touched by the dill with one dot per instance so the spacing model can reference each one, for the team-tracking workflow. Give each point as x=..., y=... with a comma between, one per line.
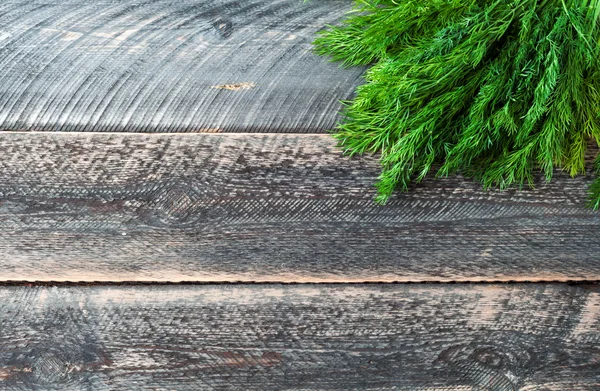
x=342, y=337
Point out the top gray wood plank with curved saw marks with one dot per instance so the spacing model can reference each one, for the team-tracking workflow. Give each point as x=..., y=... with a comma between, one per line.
x=169, y=66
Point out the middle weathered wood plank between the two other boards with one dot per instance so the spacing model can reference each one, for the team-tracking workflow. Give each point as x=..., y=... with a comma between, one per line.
x=259, y=207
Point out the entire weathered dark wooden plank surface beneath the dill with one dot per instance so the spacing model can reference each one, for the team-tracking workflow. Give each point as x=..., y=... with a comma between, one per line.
x=185, y=141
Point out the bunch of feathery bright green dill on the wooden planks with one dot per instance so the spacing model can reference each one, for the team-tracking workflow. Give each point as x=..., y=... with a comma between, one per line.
x=494, y=89
